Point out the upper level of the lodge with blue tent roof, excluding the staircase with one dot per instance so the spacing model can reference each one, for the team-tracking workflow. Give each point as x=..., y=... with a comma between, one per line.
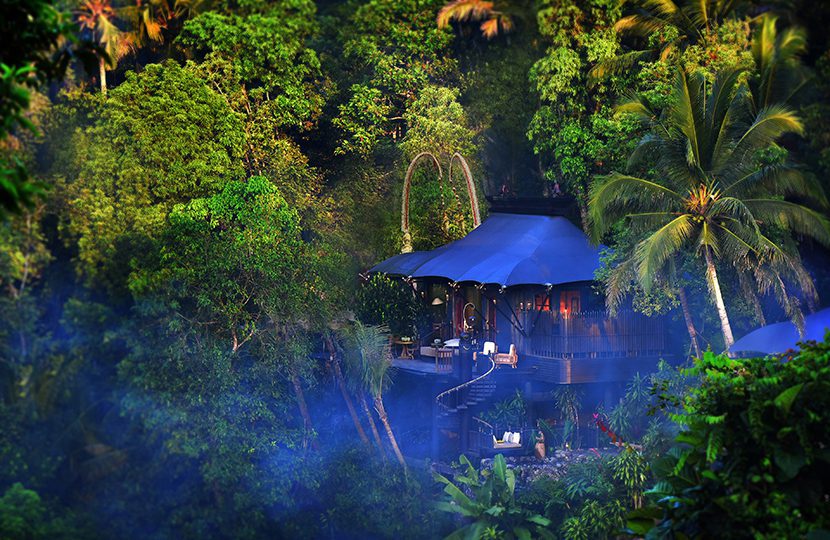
x=526, y=281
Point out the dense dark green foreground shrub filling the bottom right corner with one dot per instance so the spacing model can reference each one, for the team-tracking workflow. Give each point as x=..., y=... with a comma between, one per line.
x=753, y=458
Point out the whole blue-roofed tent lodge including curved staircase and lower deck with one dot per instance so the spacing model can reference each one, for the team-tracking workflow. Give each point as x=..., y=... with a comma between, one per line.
x=514, y=307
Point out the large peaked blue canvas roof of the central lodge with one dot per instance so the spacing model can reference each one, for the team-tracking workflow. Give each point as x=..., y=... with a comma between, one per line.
x=507, y=249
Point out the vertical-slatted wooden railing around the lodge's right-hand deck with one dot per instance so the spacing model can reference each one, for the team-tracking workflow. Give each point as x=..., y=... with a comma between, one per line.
x=590, y=334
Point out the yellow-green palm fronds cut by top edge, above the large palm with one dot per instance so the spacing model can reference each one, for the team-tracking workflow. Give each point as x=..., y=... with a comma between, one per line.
x=683, y=23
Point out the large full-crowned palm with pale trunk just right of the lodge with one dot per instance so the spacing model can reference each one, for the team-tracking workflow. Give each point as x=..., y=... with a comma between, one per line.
x=711, y=194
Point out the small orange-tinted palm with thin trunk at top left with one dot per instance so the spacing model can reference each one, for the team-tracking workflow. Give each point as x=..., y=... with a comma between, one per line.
x=98, y=16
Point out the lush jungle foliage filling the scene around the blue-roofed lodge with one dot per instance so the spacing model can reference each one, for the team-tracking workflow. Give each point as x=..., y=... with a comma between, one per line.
x=192, y=191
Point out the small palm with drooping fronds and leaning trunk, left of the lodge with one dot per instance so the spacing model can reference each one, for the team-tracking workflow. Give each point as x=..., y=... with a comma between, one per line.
x=371, y=345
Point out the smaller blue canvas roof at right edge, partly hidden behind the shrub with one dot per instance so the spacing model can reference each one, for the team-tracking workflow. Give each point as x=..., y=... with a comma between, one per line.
x=778, y=337
